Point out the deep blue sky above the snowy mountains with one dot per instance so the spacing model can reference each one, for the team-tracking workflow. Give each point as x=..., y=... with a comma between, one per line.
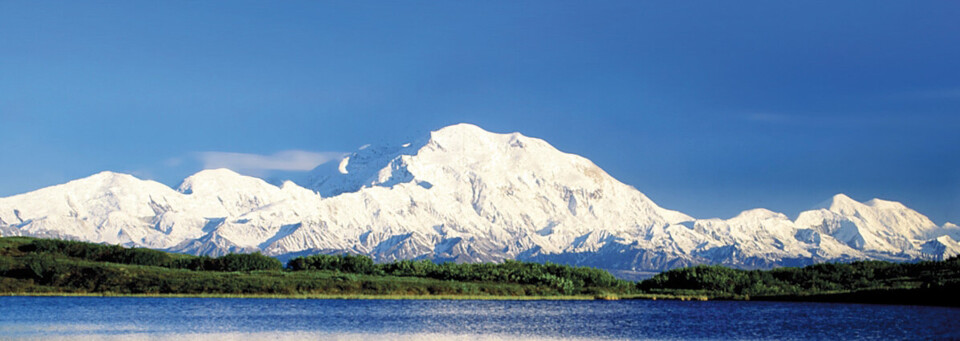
x=707, y=107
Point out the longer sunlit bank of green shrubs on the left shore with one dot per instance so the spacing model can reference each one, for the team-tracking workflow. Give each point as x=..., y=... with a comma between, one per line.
x=38, y=266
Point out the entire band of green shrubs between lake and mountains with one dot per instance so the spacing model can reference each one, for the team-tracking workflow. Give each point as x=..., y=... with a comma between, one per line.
x=50, y=266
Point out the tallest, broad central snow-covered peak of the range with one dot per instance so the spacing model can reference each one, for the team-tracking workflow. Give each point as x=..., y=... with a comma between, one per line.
x=505, y=194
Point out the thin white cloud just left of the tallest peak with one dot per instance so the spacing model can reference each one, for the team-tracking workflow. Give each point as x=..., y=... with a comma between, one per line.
x=287, y=160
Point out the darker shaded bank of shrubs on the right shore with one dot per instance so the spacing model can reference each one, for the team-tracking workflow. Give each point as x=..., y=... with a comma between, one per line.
x=925, y=282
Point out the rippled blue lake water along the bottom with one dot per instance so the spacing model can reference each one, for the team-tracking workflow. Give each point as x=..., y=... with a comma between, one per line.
x=205, y=318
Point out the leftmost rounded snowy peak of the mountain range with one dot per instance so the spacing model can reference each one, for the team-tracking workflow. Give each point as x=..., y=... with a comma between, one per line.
x=105, y=207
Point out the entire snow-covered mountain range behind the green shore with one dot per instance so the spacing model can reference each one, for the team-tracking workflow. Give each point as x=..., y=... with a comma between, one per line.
x=467, y=195
